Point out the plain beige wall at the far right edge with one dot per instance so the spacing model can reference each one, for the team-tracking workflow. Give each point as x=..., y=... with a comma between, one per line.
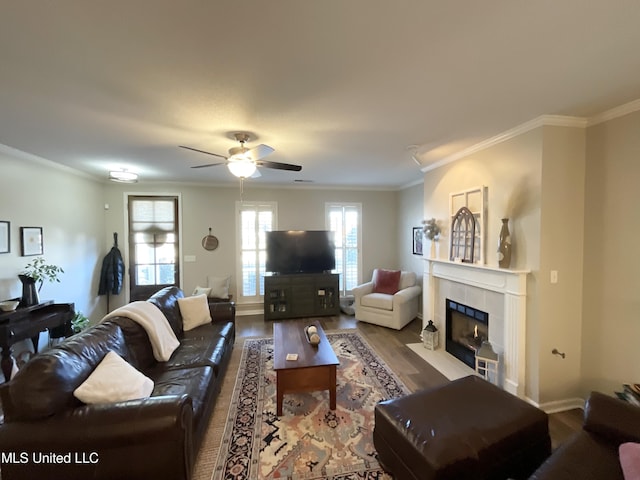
x=611, y=300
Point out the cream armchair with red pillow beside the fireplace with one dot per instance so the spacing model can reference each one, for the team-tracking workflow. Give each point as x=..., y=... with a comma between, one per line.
x=388, y=310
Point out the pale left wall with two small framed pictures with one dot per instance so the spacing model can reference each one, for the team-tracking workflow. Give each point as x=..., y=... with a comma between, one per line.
x=69, y=208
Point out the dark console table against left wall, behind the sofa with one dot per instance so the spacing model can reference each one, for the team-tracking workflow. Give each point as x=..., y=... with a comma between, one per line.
x=28, y=322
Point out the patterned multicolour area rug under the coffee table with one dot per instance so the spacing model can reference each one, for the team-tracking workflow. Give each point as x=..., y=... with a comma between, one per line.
x=309, y=441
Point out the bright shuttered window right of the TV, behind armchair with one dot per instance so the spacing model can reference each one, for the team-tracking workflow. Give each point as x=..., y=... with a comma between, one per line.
x=344, y=220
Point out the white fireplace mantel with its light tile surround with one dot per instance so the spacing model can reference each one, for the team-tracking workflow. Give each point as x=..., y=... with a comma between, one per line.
x=500, y=294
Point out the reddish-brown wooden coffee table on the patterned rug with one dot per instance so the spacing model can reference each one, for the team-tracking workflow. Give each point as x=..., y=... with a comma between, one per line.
x=315, y=368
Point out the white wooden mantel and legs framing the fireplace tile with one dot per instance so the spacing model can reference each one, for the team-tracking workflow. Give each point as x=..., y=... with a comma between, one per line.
x=511, y=285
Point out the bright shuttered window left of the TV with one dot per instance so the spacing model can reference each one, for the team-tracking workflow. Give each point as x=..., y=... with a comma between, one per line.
x=254, y=219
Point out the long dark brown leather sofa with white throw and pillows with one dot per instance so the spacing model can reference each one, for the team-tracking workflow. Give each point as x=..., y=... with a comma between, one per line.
x=47, y=433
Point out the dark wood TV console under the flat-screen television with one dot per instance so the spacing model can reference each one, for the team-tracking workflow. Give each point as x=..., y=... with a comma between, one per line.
x=301, y=295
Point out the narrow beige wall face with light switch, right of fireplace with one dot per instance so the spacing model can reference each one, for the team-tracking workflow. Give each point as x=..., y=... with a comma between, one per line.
x=561, y=249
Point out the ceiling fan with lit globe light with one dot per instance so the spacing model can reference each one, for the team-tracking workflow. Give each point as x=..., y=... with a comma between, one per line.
x=242, y=161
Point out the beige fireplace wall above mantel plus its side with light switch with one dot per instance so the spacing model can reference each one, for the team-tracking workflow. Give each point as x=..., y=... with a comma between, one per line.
x=535, y=179
